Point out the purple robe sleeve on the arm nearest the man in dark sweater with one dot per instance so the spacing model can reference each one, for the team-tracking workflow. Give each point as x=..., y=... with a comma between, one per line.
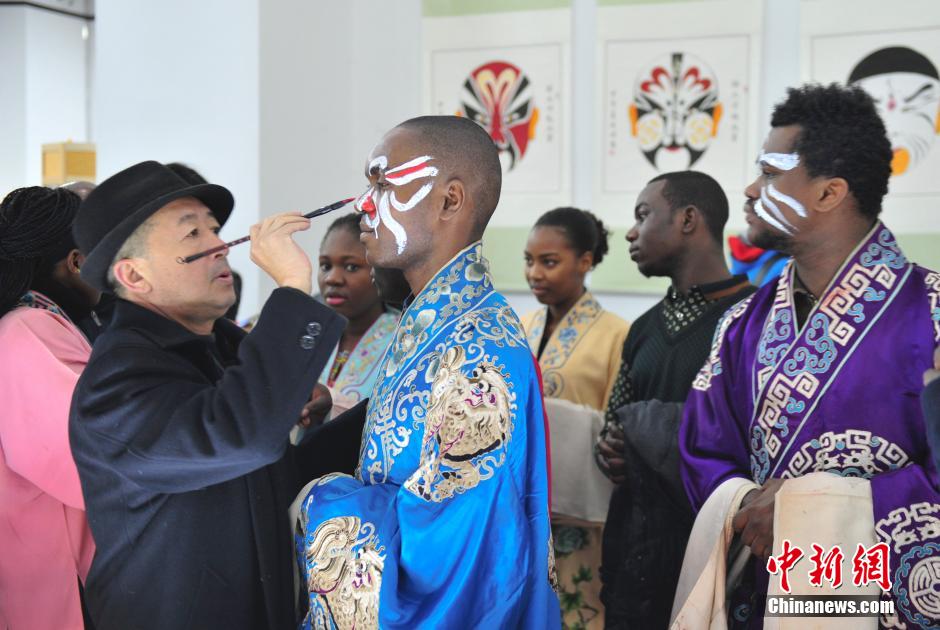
x=712, y=435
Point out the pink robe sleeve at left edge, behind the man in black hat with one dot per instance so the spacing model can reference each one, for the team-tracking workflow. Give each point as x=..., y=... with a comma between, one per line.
x=40, y=363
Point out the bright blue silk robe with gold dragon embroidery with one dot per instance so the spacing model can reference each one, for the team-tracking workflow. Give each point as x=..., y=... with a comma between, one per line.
x=446, y=523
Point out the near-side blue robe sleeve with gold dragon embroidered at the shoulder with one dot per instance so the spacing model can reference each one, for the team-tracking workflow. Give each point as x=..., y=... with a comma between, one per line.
x=494, y=501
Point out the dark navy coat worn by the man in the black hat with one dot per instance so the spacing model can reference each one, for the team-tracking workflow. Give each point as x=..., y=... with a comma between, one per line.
x=181, y=443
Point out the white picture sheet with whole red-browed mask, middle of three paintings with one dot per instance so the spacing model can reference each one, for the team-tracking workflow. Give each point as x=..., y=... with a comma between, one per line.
x=674, y=105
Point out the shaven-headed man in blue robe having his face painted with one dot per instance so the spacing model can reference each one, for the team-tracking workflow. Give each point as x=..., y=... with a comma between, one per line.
x=445, y=523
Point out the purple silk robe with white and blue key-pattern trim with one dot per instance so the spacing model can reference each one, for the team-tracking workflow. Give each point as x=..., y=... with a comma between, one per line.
x=841, y=394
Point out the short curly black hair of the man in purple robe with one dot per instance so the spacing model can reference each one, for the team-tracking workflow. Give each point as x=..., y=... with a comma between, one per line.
x=841, y=135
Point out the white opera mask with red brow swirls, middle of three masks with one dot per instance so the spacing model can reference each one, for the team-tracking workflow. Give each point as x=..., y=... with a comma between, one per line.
x=675, y=111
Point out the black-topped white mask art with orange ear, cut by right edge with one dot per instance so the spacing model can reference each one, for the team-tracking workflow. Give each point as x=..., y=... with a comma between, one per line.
x=906, y=90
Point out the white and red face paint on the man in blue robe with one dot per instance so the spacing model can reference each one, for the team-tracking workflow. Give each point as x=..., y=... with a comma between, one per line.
x=377, y=206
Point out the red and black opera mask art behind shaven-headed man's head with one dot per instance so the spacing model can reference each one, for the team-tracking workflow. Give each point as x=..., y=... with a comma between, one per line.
x=498, y=97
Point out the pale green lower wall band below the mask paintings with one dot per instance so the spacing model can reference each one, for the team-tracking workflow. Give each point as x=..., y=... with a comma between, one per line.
x=504, y=246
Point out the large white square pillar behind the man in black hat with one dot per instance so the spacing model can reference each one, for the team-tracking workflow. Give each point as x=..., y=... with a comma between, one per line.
x=279, y=100
